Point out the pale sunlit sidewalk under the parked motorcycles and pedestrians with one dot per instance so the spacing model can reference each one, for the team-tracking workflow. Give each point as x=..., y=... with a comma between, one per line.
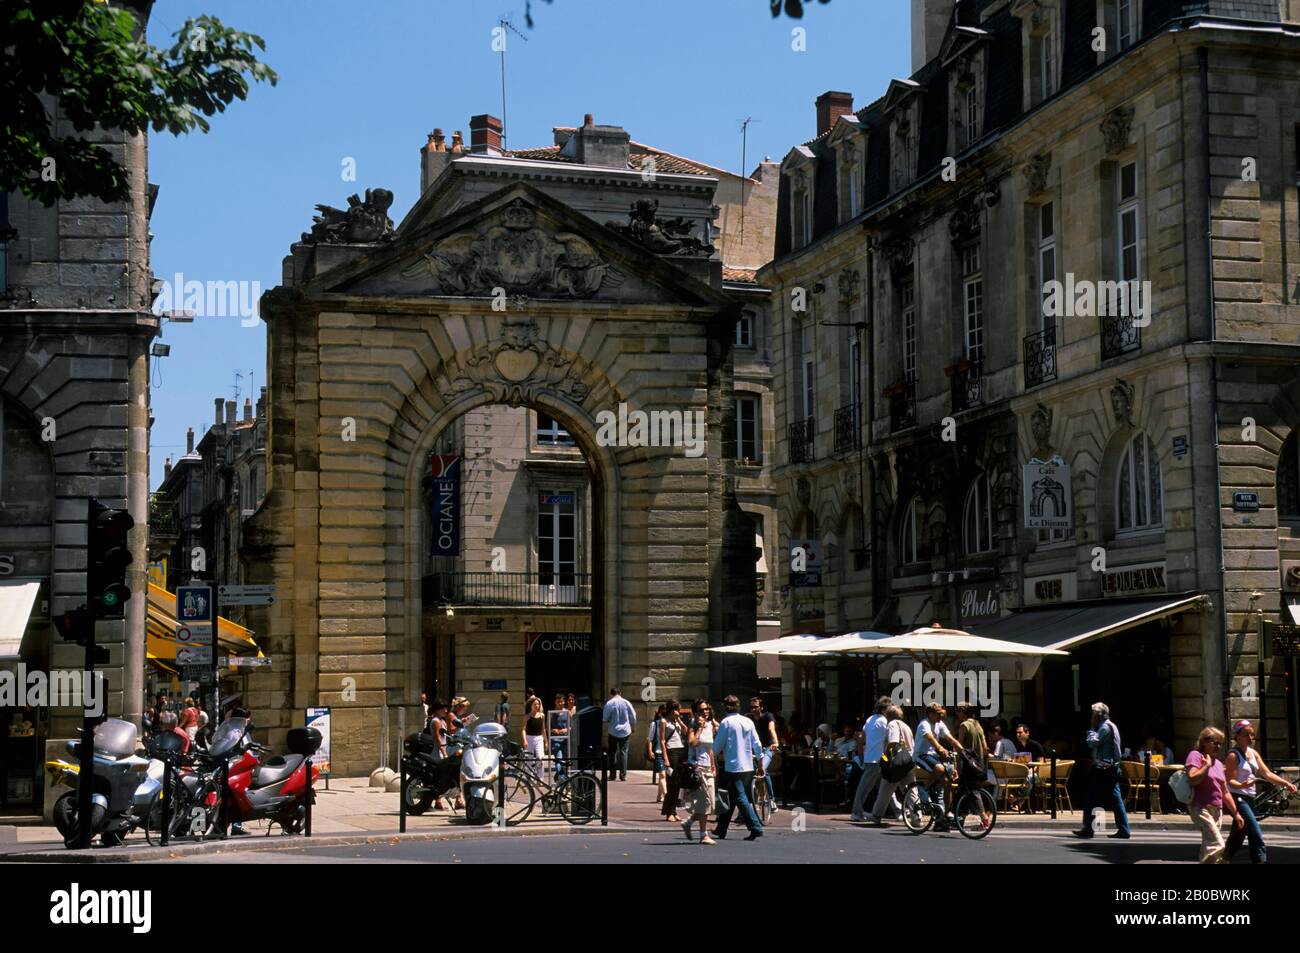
x=350, y=812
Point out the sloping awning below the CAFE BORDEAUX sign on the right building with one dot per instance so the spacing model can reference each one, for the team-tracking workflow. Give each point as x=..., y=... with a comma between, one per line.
x=1069, y=627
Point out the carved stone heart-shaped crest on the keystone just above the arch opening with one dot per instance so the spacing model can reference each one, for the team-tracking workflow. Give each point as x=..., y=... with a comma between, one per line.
x=517, y=369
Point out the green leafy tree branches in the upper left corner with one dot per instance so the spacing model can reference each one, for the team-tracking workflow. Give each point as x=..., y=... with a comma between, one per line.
x=94, y=58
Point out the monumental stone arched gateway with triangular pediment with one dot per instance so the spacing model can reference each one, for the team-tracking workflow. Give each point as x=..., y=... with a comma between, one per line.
x=496, y=293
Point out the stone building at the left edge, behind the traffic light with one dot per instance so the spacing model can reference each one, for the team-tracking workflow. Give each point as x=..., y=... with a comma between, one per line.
x=75, y=414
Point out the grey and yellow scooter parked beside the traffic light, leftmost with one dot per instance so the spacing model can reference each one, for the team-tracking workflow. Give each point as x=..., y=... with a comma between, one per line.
x=118, y=773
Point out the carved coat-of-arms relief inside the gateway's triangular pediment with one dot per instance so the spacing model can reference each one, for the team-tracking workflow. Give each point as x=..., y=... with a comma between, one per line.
x=518, y=257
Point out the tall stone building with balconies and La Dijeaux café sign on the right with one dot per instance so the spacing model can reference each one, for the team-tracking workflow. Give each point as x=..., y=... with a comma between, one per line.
x=1025, y=151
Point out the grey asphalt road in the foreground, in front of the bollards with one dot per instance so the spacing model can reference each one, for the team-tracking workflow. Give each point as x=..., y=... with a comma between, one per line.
x=779, y=846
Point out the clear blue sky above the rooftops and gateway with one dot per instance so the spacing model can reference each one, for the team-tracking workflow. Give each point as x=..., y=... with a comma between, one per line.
x=371, y=80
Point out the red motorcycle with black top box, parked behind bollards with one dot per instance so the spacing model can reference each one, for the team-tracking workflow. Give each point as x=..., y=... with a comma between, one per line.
x=270, y=790
